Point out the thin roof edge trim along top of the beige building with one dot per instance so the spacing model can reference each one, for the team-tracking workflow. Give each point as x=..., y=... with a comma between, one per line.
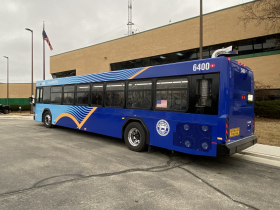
x=154, y=28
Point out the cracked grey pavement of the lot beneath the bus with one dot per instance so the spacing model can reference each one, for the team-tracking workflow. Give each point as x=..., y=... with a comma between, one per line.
x=60, y=168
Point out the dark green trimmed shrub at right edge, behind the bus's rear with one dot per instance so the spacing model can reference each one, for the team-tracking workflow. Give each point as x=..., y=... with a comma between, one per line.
x=269, y=109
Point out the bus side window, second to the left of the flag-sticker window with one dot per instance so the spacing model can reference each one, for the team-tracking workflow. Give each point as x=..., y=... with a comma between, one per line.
x=114, y=96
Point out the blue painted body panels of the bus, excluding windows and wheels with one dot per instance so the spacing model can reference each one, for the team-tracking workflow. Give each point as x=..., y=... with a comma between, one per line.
x=187, y=132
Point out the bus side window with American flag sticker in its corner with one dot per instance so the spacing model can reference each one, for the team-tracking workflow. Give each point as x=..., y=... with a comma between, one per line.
x=171, y=94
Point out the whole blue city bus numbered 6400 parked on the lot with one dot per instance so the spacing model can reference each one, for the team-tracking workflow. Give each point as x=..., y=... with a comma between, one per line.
x=202, y=107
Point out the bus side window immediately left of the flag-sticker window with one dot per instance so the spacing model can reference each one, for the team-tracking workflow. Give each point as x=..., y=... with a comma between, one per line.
x=139, y=95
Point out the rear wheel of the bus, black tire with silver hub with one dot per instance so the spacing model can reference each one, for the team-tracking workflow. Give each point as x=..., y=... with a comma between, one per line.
x=135, y=137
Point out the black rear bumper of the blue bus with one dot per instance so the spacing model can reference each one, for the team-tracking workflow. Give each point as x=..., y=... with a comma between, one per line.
x=236, y=146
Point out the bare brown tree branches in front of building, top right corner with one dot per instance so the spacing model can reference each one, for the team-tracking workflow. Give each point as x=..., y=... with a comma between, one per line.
x=262, y=12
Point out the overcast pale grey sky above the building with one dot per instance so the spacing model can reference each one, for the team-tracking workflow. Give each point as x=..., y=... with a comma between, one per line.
x=74, y=24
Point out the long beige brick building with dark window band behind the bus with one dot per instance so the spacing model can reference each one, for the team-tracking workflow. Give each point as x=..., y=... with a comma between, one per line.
x=257, y=47
